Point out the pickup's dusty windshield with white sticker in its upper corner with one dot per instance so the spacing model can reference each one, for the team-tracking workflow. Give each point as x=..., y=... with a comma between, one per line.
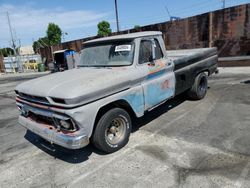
x=108, y=54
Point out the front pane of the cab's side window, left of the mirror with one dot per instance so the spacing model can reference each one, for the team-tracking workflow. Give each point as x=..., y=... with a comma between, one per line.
x=145, y=53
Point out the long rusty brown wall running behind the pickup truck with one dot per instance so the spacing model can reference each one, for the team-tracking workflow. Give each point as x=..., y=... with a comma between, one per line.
x=227, y=29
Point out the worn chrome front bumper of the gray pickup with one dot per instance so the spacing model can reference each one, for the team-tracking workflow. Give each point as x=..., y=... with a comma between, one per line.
x=70, y=141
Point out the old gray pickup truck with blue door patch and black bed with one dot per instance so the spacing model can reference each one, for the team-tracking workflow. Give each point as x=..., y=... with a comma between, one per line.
x=118, y=77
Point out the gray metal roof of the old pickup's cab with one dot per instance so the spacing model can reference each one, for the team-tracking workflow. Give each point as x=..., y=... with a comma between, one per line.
x=125, y=36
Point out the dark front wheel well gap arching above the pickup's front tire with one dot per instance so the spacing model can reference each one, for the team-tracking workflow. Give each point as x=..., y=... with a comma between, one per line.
x=116, y=104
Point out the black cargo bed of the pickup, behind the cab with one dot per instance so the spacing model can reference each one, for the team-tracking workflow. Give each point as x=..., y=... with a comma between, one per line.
x=188, y=63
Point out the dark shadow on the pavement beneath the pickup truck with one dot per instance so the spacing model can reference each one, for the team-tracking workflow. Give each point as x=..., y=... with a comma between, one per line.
x=81, y=155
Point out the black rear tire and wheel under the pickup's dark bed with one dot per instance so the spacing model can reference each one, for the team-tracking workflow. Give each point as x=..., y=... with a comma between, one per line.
x=199, y=89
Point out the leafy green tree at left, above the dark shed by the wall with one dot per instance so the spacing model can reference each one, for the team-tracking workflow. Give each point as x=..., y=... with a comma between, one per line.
x=54, y=34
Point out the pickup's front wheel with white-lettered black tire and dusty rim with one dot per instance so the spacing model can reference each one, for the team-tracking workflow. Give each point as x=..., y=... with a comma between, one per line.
x=112, y=130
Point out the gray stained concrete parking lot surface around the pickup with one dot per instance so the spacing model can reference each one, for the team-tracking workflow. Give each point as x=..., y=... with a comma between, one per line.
x=182, y=143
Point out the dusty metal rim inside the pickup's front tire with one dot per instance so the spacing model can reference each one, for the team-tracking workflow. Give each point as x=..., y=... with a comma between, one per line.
x=116, y=131
